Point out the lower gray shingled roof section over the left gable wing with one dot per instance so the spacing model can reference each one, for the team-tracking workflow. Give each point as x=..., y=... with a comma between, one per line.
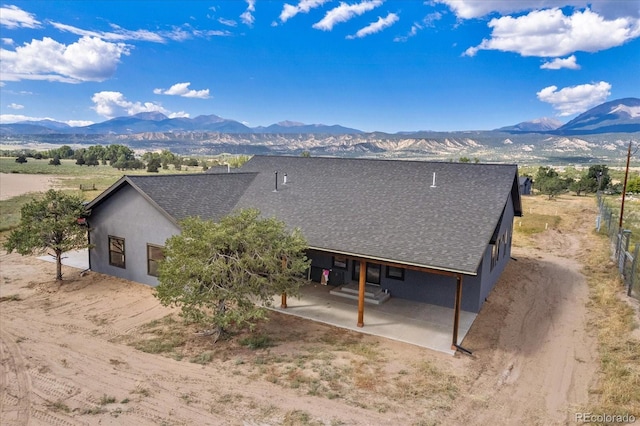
x=209, y=196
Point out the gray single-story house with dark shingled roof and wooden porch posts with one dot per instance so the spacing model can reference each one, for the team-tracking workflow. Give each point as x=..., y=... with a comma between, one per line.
x=419, y=230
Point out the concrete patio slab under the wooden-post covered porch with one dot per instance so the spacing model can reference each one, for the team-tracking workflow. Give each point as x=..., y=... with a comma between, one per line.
x=420, y=324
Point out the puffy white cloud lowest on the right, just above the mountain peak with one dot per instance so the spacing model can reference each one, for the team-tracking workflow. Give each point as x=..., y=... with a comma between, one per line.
x=575, y=99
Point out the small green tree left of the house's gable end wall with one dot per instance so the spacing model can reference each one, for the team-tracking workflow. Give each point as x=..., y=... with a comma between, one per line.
x=50, y=223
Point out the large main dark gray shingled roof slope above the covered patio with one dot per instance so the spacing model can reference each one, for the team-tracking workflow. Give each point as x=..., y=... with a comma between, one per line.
x=386, y=209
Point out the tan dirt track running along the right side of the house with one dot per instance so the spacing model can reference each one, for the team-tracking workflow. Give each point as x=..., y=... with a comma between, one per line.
x=538, y=348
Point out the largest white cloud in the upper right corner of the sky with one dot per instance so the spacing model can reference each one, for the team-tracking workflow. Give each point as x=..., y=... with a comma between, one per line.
x=549, y=33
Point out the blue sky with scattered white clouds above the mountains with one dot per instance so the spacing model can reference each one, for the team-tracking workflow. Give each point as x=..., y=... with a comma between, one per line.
x=373, y=65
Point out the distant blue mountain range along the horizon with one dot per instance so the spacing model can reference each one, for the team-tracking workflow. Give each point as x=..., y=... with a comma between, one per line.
x=622, y=115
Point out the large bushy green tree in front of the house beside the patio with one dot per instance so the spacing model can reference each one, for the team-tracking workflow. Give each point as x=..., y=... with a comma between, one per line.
x=216, y=272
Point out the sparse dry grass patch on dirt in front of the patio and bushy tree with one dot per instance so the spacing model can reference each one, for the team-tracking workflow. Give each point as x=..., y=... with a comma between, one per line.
x=329, y=363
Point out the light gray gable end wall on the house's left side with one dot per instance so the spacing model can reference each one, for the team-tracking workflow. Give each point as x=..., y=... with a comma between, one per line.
x=132, y=217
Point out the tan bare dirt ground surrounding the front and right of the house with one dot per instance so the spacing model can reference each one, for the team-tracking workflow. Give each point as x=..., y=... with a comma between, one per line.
x=67, y=354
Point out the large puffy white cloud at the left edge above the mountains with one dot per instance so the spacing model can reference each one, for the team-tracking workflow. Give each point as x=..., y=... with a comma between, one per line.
x=88, y=59
